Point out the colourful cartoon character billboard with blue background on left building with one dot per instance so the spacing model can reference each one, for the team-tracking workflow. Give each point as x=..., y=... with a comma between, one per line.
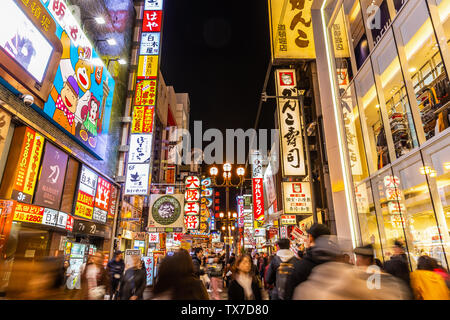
x=81, y=98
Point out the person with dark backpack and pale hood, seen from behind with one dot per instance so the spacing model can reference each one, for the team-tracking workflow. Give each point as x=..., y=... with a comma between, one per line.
x=282, y=272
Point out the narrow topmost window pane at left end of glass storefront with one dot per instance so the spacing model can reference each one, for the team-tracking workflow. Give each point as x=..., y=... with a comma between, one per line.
x=357, y=31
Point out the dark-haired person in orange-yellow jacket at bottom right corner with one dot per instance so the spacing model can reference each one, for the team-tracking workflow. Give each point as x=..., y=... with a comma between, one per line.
x=427, y=284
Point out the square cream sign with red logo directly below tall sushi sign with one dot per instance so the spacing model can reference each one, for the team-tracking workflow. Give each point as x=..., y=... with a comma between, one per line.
x=297, y=197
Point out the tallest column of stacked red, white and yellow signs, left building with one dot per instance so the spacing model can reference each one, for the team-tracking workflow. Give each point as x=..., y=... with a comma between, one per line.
x=139, y=163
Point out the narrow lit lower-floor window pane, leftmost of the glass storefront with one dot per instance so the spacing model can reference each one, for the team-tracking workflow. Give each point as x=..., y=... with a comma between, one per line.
x=367, y=218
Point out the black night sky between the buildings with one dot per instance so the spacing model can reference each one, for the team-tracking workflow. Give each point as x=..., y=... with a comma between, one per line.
x=218, y=52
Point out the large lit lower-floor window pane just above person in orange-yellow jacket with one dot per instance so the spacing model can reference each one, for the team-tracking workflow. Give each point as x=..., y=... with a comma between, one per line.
x=414, y=204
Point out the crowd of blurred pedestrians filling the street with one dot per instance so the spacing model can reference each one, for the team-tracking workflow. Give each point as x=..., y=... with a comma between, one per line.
x=321, y=272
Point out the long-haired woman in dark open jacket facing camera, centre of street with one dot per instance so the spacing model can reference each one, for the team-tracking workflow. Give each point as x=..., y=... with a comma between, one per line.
x=245, y=285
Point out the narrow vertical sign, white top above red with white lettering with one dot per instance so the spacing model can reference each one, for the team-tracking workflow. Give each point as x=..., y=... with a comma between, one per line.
x=258, y=190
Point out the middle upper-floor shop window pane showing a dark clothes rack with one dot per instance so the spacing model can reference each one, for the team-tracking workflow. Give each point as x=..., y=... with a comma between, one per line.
x=387, y=66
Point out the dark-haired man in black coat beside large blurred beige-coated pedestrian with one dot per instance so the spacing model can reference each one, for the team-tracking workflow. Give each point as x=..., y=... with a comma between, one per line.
x=311, y=258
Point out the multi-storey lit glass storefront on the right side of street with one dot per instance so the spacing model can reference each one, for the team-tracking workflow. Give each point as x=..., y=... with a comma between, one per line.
x=394, y=96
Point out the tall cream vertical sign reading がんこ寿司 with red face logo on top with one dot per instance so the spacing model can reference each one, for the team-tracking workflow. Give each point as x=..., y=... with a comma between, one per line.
x=290, y=125
